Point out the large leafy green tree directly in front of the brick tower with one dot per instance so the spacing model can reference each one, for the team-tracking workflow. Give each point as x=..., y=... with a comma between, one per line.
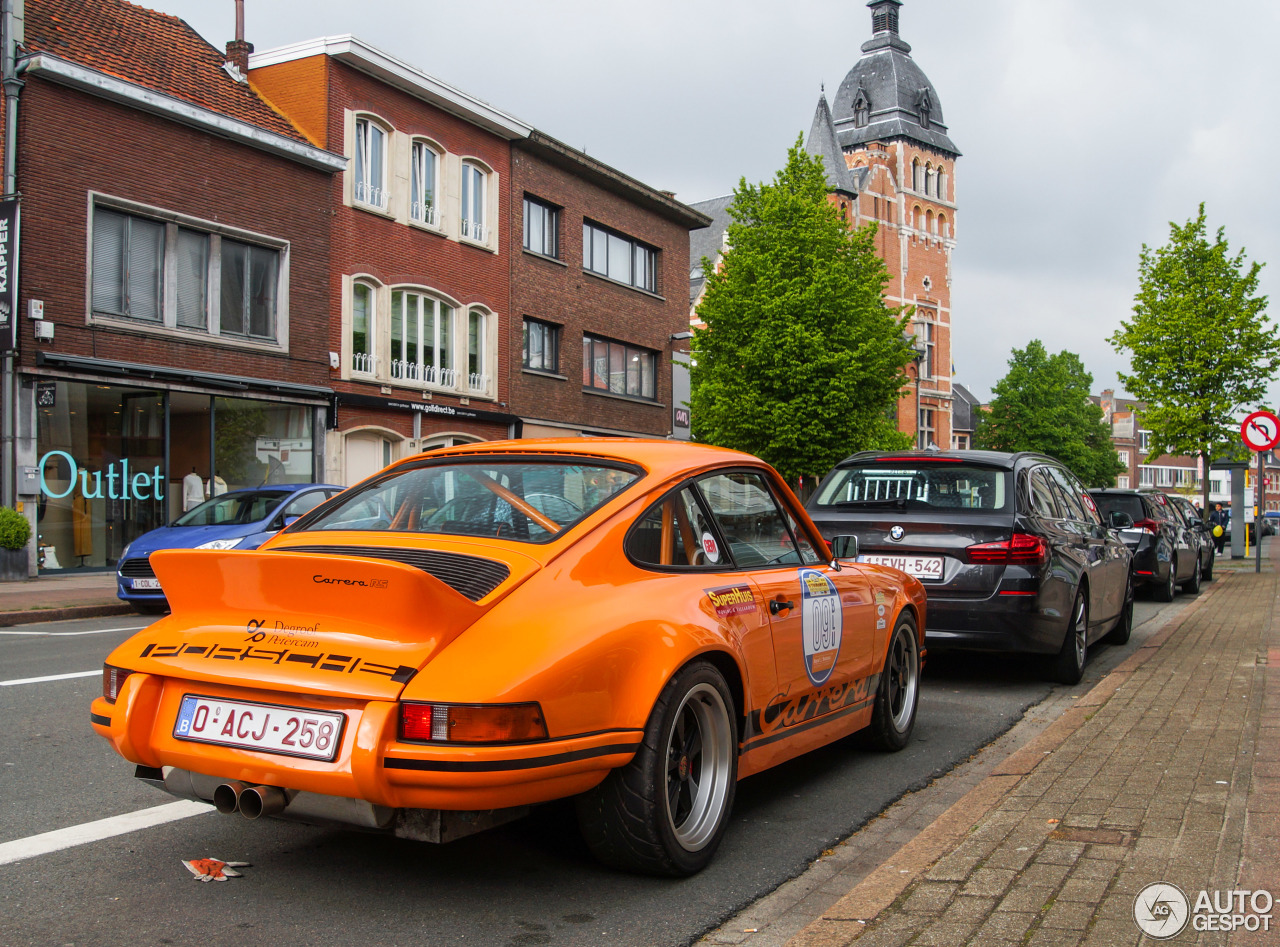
x=802, y=363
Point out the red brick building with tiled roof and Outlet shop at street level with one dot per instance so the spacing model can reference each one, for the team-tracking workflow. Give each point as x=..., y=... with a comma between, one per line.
x=175, y=243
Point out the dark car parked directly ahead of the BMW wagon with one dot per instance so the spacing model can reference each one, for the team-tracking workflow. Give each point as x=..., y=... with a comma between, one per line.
x=1168, y=553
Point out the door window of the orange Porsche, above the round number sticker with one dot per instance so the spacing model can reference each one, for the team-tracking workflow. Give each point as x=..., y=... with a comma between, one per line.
x=749, y=520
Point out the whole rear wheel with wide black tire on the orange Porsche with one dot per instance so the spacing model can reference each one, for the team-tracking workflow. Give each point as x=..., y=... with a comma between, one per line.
x=666, y=811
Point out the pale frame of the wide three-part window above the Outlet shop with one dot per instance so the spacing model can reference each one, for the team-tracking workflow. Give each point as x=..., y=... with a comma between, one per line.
x=175, y=227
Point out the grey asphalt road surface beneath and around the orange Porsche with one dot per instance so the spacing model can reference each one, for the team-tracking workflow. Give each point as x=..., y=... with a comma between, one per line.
x=528, y=884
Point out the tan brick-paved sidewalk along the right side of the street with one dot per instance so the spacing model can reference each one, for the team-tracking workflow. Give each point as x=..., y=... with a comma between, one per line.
x=1167, y=772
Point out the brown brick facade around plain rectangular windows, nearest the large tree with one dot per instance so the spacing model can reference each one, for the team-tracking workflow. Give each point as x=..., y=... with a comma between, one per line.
x=568, y=296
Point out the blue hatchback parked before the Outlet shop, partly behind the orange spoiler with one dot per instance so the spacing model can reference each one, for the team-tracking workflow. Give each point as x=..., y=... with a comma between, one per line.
x=236, y=520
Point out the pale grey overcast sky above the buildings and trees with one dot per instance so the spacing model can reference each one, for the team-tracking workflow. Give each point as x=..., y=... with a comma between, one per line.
x=1086, y=127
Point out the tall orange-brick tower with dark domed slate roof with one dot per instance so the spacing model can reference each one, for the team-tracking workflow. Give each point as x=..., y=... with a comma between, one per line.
x=898, y=171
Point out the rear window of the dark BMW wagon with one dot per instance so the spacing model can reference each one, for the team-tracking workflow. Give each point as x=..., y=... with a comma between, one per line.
x=936, y=486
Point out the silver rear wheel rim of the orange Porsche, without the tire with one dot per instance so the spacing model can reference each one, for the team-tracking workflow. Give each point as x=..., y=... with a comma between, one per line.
x=700, y=766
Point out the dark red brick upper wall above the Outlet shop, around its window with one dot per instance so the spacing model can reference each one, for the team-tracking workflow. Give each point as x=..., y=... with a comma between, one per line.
x=72, y=144
